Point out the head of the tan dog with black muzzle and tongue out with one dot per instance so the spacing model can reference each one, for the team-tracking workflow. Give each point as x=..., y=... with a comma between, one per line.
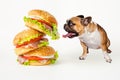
x=75, y=26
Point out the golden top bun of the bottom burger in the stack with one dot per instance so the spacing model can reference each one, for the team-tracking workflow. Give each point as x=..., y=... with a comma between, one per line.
x=43, y=51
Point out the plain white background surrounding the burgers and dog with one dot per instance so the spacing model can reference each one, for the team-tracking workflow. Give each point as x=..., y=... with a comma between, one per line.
x=68, y=66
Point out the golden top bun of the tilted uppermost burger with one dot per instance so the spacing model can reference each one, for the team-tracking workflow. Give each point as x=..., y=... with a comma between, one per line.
x=44, y=15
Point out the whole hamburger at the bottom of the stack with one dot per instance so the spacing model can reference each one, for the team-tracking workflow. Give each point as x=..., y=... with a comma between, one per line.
x=38, y=57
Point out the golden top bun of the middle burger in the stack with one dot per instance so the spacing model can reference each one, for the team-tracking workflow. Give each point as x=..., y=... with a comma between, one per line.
x=25, y=35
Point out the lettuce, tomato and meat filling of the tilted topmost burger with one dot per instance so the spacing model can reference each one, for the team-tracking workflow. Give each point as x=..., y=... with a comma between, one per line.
x=49, y=29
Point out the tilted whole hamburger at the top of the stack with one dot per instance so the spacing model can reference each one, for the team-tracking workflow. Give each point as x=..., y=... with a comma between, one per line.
x=42, y=21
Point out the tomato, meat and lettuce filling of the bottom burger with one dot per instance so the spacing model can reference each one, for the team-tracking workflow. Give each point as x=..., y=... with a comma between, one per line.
x=26, y=60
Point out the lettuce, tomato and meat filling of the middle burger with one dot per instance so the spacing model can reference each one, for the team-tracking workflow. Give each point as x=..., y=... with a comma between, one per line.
x=32, y=41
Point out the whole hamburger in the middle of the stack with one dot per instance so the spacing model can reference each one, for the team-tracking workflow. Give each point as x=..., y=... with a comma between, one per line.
x=28, y=40
